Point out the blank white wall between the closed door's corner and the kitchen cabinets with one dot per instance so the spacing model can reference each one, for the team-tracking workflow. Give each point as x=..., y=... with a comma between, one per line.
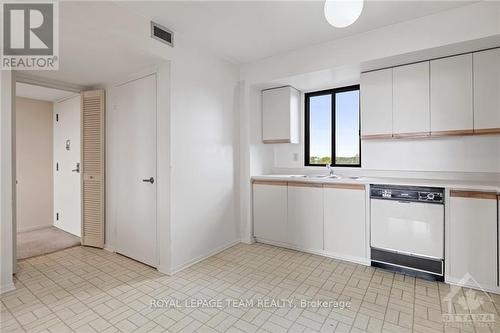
x=204, y=115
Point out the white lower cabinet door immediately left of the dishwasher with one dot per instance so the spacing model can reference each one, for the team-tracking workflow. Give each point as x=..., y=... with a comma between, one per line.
x=345, y=227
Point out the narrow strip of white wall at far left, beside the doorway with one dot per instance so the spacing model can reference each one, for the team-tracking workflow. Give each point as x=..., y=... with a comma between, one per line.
x=6, y=227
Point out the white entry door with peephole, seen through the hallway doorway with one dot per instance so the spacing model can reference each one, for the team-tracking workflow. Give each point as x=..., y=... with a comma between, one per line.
x=67, y=203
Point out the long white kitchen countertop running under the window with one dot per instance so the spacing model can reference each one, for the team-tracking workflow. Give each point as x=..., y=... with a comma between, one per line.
x=493, y=186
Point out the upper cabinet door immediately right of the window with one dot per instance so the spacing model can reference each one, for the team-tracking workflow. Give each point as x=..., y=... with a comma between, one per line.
x=376, y=103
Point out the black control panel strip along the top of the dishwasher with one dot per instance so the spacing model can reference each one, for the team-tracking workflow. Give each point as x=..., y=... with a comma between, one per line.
x=407, y=193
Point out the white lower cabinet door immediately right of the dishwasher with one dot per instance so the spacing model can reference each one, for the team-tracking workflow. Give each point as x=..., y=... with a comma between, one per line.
x=473, y=237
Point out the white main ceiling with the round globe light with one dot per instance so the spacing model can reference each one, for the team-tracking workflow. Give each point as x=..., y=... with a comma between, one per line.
x=246, y=31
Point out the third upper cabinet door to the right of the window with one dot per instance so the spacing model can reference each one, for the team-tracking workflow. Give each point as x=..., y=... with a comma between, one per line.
x=451, y=95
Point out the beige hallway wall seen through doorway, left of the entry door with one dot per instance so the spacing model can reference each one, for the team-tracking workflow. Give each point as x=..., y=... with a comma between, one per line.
x=34, y=167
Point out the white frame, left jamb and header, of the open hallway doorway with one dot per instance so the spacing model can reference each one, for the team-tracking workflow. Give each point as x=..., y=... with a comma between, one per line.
x=21, y=77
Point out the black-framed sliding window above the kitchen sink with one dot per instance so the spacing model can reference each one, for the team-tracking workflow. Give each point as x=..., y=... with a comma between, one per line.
x=332, y=127
